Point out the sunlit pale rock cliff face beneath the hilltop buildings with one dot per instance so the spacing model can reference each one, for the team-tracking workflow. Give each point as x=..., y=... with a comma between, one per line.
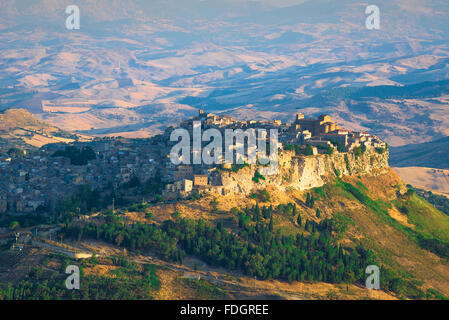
x=306, y=172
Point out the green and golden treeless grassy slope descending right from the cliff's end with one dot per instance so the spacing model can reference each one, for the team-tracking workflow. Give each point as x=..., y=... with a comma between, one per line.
x=395, y=240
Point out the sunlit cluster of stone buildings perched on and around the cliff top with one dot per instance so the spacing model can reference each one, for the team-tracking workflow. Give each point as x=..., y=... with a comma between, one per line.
x=300, y=139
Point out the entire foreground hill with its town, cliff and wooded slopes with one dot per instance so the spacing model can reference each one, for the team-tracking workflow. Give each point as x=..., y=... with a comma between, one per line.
x=329, y=211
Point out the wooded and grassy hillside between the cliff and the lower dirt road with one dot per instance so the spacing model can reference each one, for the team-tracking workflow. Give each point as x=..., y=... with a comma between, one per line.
x=408, y=238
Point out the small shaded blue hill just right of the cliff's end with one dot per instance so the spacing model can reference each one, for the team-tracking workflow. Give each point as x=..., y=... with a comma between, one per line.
x=433, y=154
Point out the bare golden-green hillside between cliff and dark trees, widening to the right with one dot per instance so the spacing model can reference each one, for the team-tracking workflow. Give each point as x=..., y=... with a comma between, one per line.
x=374, y=212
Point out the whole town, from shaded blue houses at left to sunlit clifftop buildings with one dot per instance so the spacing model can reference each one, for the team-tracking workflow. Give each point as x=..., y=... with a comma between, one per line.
x=34, y=181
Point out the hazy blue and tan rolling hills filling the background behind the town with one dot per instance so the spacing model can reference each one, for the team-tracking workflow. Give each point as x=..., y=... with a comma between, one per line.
x=135, y=67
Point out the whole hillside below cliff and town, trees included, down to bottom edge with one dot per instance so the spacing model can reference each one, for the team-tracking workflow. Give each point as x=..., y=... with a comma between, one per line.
x=334, y=231
